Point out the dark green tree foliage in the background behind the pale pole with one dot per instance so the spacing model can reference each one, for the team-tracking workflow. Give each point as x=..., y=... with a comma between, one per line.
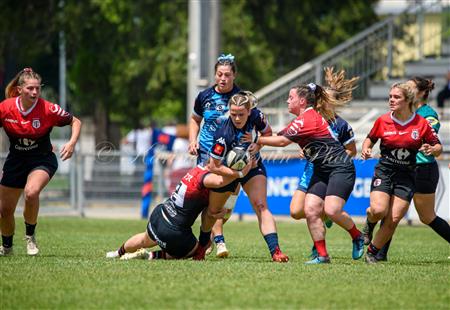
x=127, y=60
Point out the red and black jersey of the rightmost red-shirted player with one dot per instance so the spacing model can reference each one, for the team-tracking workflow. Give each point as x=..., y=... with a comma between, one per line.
x=401, y=141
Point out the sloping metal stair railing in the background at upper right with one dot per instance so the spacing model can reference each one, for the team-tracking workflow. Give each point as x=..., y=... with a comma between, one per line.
x=378, y=52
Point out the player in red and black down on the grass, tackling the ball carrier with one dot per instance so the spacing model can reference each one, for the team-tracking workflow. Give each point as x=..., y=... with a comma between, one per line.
x=170, y=224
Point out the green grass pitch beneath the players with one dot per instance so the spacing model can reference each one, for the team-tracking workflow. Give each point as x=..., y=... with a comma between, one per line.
x=71, y=272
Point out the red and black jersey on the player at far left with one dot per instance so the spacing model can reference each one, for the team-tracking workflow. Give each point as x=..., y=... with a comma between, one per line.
x=29, y=131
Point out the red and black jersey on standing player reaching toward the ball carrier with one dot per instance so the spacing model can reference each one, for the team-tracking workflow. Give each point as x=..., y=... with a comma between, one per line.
x=320, y=145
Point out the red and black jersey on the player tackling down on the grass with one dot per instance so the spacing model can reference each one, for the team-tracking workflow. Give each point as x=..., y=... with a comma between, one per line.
x=189, y=198
